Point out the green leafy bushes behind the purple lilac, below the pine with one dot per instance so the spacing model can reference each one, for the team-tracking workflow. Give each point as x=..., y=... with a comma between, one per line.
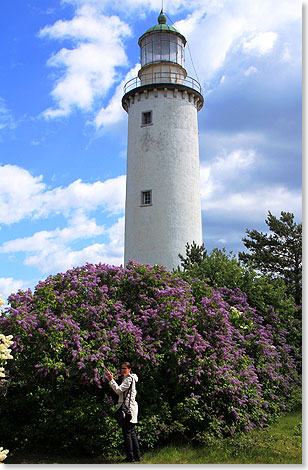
x=221, y=269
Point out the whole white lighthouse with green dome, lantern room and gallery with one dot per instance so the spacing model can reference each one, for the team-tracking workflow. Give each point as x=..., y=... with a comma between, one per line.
x=163, y=209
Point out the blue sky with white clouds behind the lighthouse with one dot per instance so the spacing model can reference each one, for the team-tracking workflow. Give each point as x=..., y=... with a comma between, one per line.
x=63, y=132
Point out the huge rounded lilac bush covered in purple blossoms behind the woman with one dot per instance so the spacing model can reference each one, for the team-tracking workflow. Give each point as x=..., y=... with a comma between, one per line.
x=207, y=362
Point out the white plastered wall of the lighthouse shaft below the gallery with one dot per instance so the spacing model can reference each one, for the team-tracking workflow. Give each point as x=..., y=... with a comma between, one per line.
x=162, y=157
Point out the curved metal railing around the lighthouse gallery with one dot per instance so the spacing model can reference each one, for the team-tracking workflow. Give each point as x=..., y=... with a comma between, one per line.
x=162, y=77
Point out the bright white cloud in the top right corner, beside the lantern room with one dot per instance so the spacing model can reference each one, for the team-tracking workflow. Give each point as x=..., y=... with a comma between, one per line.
x=218, y=29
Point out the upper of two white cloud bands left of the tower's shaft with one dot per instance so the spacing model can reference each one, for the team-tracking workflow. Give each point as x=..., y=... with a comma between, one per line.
x=23, y=195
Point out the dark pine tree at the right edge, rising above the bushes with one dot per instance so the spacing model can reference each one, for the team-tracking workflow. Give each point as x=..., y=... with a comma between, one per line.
x=278, y=253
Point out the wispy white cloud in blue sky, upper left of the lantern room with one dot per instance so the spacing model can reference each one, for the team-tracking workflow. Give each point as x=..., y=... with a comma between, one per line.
x=89, y=67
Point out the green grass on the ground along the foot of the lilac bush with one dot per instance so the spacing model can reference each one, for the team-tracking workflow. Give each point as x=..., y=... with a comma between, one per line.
x=280, y=443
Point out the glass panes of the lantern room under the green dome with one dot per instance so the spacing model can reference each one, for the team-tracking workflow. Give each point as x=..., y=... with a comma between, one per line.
x=162, y=47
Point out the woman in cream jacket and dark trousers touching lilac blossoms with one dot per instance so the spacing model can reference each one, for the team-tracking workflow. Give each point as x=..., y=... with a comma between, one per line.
x=129, y=433
